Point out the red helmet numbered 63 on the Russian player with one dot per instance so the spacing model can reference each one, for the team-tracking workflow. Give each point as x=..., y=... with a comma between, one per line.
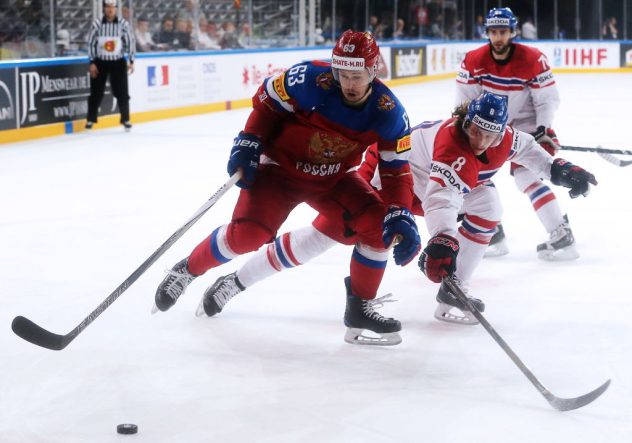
x=356, y=51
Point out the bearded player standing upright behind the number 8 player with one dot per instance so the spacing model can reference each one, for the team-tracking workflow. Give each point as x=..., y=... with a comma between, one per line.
x=522, y=74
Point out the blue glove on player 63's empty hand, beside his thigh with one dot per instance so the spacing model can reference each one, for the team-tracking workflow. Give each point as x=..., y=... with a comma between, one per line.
x=399, y=224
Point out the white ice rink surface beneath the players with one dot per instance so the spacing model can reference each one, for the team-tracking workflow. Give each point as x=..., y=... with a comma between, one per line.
x=79, y=213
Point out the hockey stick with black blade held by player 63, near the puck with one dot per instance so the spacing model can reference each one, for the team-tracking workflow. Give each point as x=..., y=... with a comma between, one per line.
x=39, y=336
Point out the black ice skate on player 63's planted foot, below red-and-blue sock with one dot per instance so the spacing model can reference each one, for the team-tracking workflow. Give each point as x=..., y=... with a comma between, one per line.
x=360, y=316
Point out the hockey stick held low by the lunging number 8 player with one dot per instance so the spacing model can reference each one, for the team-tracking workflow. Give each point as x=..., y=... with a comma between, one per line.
x=561, y=404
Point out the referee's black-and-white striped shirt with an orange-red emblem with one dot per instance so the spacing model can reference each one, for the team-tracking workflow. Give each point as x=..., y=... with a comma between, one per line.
x=111, y=40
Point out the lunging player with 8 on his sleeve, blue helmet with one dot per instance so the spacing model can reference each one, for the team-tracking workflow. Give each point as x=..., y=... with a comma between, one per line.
x=452, y=162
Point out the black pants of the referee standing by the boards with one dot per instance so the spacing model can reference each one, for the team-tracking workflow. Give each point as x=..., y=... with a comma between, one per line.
x=117, y=71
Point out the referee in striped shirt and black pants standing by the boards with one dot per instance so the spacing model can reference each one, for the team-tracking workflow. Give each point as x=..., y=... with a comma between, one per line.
x=110, y=38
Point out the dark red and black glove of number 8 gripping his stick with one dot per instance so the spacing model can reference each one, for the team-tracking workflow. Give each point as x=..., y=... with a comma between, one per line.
x=439, y=257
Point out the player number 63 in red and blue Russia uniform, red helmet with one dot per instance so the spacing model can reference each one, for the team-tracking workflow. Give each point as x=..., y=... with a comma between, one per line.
x=308, y=126
